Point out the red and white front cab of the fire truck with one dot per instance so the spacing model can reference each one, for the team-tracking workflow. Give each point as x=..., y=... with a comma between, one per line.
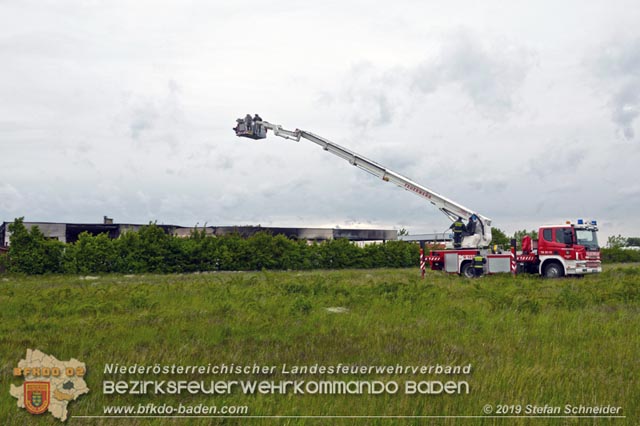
x=569, y=249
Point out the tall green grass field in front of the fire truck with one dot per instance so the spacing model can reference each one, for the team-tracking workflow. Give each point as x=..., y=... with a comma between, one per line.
x=528, y=340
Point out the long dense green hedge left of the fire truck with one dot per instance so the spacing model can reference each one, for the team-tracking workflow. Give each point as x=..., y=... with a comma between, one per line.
x=152, y=250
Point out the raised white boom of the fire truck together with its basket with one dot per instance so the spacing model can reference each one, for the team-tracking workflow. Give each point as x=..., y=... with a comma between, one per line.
x=480, y=236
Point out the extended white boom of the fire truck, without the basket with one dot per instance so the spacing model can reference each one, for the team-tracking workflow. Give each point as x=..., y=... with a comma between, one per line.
x=482, y=235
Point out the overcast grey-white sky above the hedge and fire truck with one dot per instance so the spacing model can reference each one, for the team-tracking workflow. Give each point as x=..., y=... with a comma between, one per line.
x=527, y=112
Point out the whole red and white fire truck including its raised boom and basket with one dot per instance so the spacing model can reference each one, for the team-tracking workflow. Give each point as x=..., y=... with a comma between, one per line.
x=569, y=249
